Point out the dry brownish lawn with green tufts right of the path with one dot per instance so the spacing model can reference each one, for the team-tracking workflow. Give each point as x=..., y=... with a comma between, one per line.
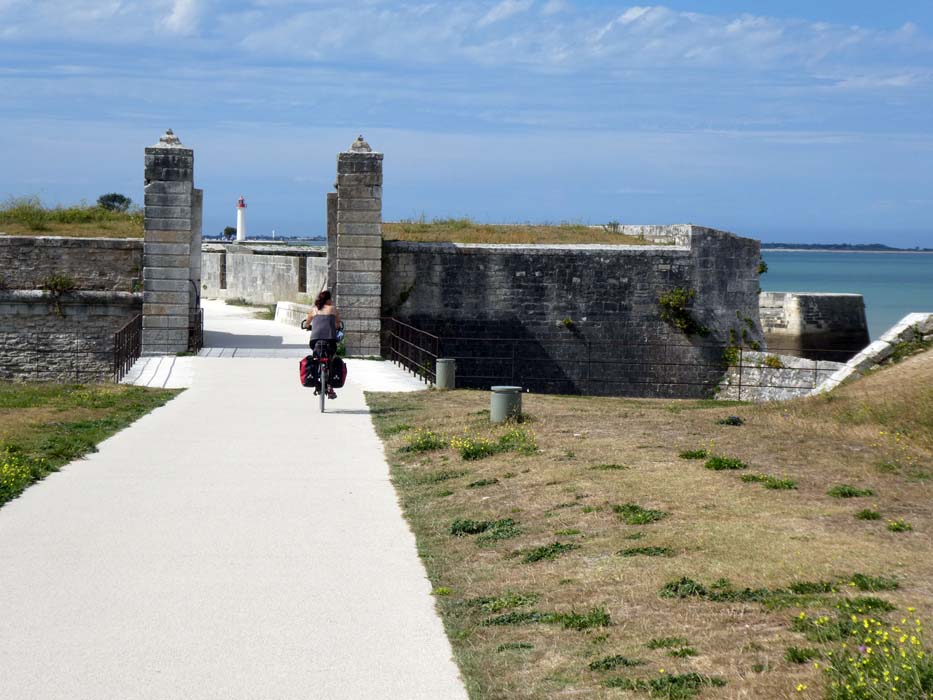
x=787, y=553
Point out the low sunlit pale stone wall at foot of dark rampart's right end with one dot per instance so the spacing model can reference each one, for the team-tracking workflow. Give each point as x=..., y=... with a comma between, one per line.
x=762, y=376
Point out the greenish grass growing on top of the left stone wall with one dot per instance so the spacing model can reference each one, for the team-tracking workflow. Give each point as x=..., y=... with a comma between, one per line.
x=27, y=216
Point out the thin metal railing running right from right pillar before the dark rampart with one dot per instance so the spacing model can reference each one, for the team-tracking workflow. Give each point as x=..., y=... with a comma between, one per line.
x=605, y=367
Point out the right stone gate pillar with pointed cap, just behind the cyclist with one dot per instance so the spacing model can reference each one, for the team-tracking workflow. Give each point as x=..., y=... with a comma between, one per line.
x=359, y=247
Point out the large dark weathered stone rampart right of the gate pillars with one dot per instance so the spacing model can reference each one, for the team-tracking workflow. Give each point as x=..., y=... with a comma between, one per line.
x=580, y=319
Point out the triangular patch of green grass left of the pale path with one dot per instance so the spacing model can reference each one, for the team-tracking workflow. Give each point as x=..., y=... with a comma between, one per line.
x=45, y=426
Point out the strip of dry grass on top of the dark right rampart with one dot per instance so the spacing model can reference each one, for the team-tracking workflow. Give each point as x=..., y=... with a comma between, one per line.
x=464, y=230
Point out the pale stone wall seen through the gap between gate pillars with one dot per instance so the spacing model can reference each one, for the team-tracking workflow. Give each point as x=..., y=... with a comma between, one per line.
x=262, y=276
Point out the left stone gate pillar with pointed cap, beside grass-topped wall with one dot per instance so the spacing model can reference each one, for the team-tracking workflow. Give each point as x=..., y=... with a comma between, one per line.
x=172, y=213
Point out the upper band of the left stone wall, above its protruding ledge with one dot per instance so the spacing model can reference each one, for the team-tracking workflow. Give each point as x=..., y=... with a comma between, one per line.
x=98, y=264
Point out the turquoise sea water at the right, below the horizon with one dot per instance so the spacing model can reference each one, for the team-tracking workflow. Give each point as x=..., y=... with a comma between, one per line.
x=893, y=284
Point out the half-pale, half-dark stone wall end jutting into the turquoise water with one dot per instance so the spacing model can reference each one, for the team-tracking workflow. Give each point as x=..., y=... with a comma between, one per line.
x=816, y=326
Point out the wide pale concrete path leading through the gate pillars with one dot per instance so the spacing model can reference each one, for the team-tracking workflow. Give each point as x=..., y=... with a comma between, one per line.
x=235, y=544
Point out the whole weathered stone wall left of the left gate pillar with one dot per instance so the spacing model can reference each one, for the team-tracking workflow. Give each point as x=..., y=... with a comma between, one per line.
x=66, y=335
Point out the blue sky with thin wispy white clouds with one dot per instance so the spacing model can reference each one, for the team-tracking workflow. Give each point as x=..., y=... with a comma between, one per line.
x=785, y=121
